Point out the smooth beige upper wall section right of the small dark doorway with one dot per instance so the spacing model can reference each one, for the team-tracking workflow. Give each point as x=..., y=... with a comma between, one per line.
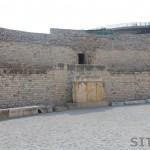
x=127, y=59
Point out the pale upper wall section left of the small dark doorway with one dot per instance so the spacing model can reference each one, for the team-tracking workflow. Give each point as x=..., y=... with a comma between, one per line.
x=35, y=54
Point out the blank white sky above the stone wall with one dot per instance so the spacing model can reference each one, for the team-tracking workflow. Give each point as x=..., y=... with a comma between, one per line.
x=41, y=15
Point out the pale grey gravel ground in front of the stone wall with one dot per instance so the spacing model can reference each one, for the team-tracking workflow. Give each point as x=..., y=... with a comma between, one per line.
x=108, y=128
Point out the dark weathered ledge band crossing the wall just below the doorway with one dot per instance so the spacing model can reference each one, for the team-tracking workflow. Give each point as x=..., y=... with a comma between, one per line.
x=24, y=69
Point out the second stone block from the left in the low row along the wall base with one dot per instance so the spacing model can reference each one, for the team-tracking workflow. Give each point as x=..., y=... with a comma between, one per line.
x=16, y=112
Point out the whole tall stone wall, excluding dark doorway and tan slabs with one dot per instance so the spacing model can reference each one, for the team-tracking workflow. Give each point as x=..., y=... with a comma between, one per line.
x=40, y=68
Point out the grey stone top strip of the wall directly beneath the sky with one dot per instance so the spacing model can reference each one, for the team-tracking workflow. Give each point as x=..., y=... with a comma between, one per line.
x=22, y=36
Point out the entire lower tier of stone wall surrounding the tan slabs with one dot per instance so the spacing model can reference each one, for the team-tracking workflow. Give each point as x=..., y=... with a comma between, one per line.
x=53, y=85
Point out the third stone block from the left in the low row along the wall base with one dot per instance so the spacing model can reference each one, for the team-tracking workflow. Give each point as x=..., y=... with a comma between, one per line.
x=31, y=110
